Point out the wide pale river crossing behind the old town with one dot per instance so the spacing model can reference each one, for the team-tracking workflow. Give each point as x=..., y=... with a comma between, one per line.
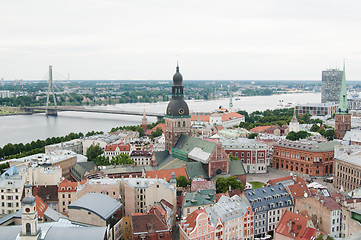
x=26, y=128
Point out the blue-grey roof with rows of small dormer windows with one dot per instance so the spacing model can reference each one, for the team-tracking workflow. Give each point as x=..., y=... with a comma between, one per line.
x=270, y=197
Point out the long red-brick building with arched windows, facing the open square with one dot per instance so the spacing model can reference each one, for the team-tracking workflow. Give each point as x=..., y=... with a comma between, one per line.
x=315, y=159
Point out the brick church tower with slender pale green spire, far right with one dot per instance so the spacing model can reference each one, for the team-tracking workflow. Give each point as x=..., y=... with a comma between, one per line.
x=342, y=117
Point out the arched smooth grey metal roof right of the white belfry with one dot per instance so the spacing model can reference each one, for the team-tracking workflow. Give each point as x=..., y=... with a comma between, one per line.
x=100, y=204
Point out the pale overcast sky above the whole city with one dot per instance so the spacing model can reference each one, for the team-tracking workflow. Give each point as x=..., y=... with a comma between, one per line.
x=214, y=40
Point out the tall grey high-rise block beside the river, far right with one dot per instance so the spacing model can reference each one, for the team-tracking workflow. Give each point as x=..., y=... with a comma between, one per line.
x=331, y=85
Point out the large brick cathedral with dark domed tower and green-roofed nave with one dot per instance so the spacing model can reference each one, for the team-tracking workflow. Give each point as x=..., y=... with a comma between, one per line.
x=179, y=142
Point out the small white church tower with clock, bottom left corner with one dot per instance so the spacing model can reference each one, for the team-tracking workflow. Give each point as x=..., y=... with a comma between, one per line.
x=29, y=216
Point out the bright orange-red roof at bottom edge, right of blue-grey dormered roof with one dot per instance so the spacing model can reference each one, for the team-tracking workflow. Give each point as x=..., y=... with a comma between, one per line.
x=294, y=226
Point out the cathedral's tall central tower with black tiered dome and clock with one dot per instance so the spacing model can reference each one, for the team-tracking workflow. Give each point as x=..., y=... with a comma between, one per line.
x=177, y=118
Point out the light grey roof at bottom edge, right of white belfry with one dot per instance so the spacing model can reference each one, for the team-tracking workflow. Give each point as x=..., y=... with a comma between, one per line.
x=74, y=233
